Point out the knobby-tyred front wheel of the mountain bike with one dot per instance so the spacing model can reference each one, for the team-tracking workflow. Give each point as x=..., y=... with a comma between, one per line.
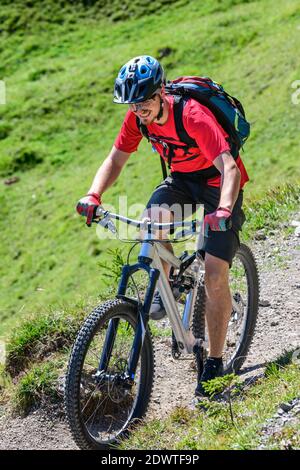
x=101, y=405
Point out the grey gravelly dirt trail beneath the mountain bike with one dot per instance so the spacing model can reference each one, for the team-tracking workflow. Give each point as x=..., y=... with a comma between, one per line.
x=277, y=329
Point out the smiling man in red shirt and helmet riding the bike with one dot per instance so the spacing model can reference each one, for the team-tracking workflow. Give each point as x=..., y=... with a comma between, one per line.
x=140, y=84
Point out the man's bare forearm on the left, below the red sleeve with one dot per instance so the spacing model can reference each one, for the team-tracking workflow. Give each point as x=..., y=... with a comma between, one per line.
x=109, y=171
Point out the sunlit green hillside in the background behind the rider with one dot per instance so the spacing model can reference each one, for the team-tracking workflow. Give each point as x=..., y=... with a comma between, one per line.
x=59, y=79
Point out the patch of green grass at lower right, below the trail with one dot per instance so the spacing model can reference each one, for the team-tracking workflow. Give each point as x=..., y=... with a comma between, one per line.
x=212, y=427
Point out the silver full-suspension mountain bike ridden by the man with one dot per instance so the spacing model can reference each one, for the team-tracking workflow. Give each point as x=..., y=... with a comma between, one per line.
x=111, y=367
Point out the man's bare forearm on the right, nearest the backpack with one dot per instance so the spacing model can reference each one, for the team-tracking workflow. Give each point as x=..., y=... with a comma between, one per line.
x=231, y=177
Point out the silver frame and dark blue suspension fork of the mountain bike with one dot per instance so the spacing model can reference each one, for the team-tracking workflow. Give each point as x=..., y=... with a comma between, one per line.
x=150, y=259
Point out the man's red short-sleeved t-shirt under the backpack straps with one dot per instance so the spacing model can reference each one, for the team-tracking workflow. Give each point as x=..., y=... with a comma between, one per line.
x=200, y=124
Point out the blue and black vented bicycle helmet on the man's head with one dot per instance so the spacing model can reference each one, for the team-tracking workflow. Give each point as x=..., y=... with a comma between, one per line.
x=138, y=80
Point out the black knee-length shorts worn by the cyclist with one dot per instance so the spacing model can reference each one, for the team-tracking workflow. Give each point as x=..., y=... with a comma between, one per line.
x=183, y=192
